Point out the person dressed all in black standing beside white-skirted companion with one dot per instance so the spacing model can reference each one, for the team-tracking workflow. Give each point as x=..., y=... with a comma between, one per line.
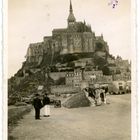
x=37, y=105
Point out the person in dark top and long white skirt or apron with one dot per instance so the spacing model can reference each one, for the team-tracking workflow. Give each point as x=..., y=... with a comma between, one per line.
x=46, y=104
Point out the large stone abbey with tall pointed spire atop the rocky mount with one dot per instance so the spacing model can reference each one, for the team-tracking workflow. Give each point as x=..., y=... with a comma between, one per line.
x=77, y=37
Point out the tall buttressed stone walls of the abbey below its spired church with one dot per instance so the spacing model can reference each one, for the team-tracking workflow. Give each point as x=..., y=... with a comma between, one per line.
x=64, y=42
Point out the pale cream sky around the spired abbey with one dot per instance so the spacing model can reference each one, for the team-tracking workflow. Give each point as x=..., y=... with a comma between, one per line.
x=30, y=20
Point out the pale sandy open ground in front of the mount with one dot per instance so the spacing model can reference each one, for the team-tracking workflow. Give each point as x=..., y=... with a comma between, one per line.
x=107, y=122
